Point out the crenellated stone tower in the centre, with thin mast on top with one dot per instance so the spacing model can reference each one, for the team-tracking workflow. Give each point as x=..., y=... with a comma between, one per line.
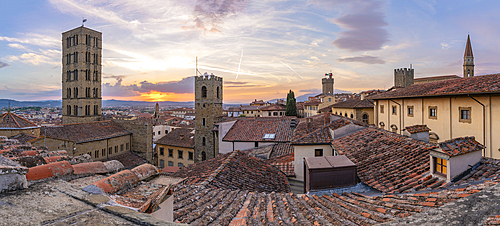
x=208, y=106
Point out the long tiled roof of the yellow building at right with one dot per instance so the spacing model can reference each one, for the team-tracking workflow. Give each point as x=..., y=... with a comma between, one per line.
x=462, y=86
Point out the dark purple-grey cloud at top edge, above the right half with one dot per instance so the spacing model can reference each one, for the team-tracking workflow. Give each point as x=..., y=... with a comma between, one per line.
x=363, y=22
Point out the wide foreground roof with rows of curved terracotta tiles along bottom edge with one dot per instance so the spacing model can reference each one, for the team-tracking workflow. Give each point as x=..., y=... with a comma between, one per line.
x=199, y=205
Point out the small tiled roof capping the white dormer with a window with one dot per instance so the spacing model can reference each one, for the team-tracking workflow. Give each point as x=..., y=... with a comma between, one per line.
x=461, y=145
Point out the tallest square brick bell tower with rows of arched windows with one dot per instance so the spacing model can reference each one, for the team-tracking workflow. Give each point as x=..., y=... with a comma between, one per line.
x=81, y=75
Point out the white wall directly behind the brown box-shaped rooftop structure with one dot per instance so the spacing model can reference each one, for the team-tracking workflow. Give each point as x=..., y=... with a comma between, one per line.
x=306, y=151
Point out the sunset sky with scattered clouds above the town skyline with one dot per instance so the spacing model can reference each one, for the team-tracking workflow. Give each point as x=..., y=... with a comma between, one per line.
x=262, y=49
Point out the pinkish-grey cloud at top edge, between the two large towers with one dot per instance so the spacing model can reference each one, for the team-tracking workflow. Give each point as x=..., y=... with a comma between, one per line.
x=209, y=14
